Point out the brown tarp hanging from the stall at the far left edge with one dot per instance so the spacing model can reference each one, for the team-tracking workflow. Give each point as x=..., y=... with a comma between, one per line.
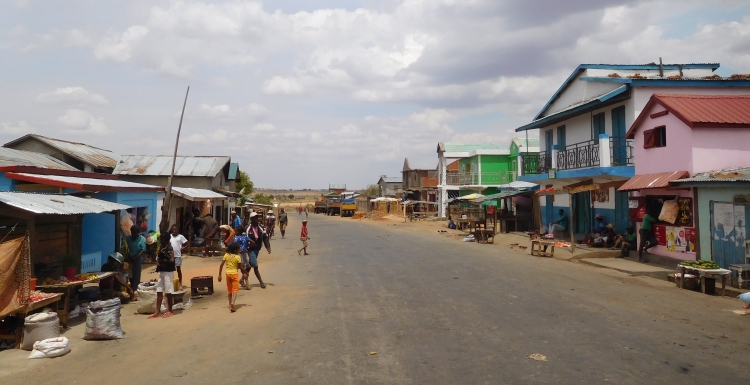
x=15, y=272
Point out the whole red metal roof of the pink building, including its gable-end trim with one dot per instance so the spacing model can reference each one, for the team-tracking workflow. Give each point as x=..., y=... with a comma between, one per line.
x=700, y=110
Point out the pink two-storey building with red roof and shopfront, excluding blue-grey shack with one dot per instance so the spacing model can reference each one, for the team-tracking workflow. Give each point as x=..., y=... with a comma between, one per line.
x=677, y=136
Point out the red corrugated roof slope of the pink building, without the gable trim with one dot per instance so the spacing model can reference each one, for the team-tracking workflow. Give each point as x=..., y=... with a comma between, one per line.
x=718, y=109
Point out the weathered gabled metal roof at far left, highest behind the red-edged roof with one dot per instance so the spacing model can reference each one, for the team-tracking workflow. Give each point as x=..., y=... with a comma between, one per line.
x=80, y=156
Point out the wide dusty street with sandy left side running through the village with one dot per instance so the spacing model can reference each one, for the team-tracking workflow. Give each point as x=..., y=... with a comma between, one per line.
x=435, y=310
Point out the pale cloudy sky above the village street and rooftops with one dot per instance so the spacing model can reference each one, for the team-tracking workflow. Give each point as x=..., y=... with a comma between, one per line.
x=303, y=93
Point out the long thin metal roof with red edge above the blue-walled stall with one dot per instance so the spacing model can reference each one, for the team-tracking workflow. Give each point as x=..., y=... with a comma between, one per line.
x=89, y=184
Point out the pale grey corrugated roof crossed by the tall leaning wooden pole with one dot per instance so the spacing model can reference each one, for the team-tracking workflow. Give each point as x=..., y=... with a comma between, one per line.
x=161, y=165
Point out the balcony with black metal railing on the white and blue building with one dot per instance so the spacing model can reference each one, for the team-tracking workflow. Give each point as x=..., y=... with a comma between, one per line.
x=608, y=152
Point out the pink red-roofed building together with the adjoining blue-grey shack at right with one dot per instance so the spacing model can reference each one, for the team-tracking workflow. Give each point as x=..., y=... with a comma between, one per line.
x=685, y=141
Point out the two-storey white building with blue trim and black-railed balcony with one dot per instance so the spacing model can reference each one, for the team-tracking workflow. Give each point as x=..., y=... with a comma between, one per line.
x=585, y=153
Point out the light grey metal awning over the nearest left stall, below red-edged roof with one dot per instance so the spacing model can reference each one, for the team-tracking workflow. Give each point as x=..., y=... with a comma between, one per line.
x=58, y=204
